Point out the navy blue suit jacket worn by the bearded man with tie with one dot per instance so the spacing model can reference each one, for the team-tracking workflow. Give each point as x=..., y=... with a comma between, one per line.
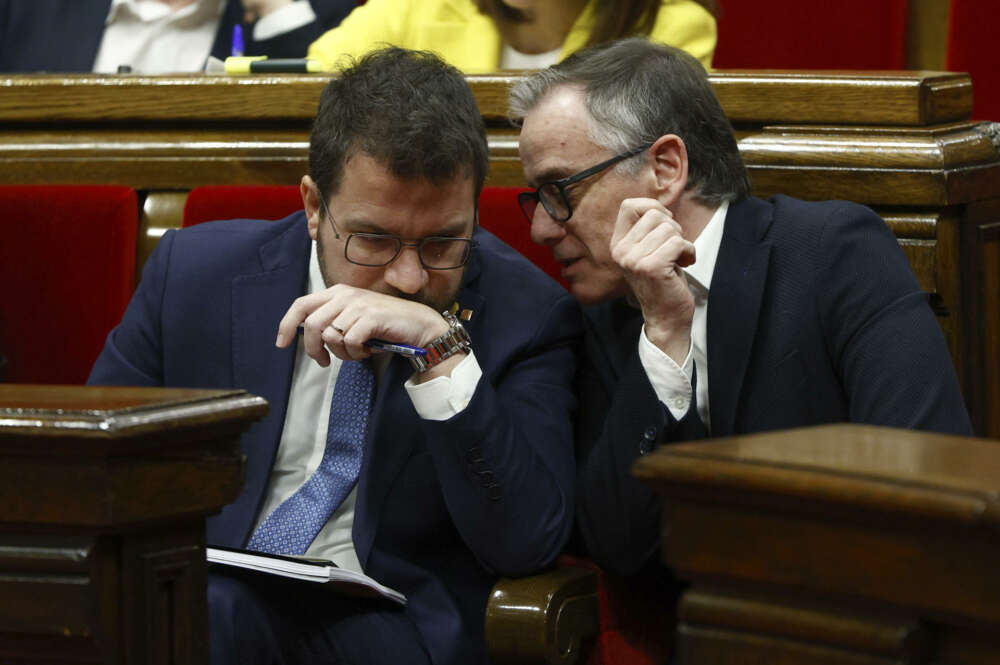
x=443, y=508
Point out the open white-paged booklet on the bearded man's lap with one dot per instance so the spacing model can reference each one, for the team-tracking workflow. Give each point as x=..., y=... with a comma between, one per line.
x=322, y=571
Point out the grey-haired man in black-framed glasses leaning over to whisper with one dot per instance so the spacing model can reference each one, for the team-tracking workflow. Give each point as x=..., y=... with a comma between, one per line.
x=708, y=312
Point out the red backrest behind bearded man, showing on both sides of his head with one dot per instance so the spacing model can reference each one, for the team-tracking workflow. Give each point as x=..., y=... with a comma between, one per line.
x=498, y=213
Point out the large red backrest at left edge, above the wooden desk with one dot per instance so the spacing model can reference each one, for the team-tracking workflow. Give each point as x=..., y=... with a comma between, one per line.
x=67, y=271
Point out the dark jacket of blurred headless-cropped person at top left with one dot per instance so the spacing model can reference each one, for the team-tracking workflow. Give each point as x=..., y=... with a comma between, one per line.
x=64, y=35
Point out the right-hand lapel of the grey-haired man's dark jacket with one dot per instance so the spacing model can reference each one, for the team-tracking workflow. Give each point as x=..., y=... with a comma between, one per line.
x=734, y=307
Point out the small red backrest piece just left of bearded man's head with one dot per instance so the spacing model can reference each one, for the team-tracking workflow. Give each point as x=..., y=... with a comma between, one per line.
x=212, y=202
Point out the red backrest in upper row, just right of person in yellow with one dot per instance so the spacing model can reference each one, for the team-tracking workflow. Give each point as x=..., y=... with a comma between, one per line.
x=791, y=34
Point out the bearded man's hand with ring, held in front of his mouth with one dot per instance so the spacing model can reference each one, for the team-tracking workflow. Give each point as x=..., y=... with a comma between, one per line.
x=342, y=318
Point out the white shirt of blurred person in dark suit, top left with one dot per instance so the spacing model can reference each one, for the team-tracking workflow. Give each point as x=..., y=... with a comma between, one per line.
x=153, y=38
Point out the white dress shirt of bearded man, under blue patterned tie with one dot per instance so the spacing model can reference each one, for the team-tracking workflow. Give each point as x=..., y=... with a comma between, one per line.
x=303, y=437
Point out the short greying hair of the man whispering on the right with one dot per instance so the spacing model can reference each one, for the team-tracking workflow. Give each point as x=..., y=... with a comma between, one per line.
x=637, y=91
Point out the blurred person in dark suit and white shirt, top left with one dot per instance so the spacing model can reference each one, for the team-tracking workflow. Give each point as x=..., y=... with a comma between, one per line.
x=155, y=36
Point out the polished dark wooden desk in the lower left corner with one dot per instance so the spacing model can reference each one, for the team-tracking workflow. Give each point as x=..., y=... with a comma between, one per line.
x=104, y=494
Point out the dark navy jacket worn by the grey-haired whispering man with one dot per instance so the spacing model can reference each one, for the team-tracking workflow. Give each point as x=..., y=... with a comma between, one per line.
x=814, y=316
